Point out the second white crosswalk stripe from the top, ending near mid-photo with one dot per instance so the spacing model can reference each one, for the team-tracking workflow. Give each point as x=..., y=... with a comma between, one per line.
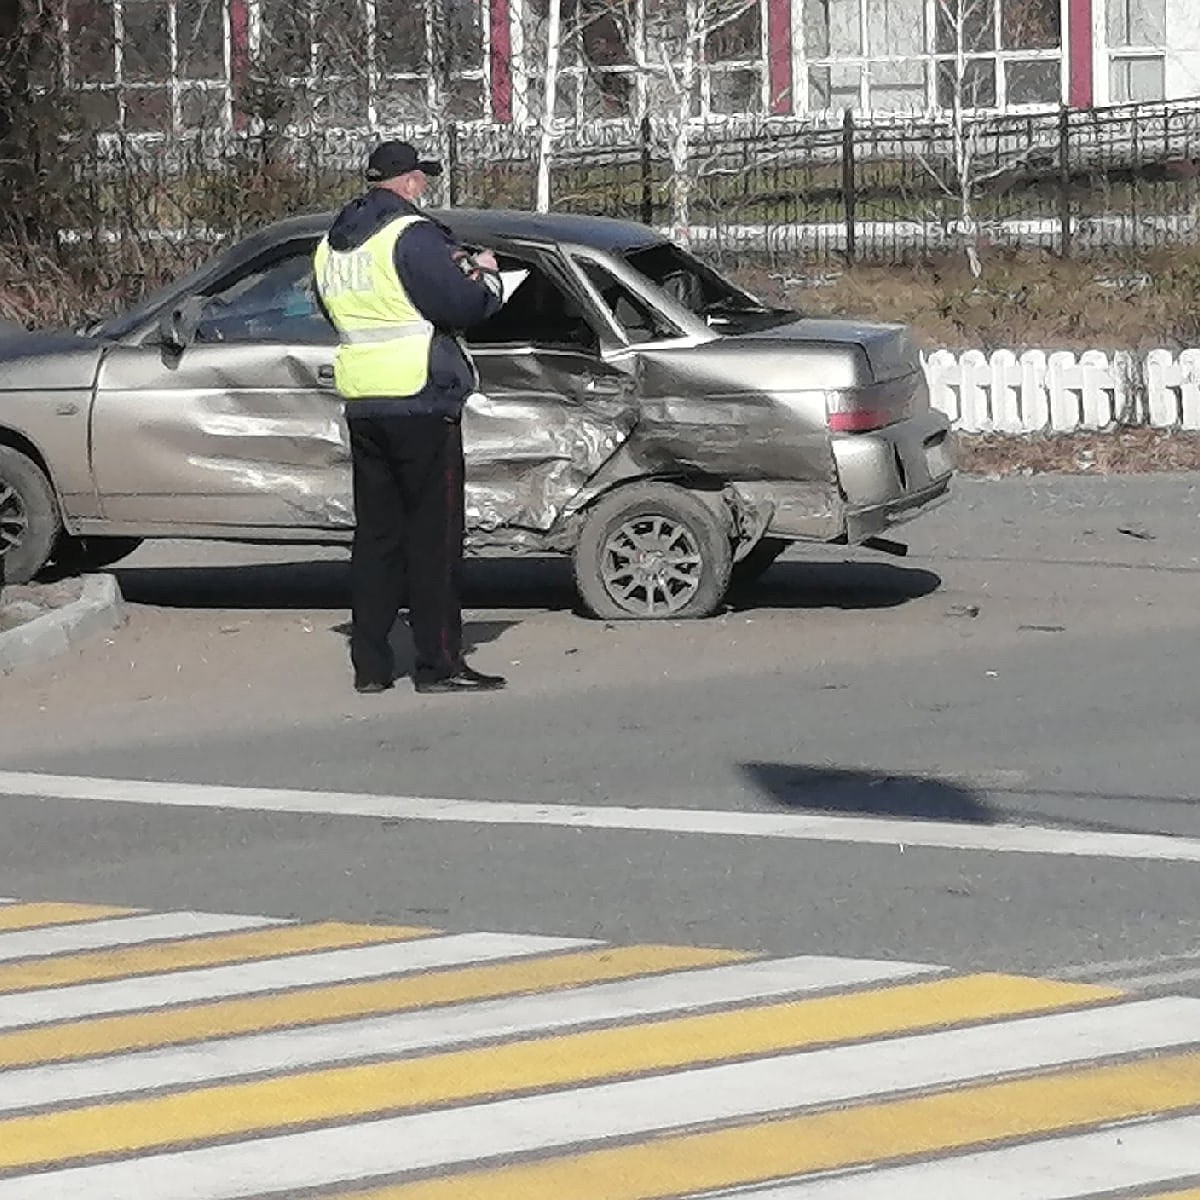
x=269, y=975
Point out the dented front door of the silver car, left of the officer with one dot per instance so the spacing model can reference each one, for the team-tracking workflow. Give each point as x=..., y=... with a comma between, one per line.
x=242, y=429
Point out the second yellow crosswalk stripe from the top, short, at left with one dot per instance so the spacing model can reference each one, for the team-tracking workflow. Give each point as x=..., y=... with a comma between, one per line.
x=95, y=967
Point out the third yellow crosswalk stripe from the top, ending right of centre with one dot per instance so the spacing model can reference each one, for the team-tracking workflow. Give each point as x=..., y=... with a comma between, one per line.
x=325, y=1005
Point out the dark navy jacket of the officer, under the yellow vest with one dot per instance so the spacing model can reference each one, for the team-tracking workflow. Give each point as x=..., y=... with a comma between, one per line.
x=436, y=285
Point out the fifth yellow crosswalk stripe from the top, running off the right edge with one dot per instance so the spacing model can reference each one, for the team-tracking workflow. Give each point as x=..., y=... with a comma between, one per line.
x=866, y=1135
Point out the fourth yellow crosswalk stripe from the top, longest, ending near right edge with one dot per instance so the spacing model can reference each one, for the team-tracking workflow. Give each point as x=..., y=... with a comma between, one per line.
x=525, y=1067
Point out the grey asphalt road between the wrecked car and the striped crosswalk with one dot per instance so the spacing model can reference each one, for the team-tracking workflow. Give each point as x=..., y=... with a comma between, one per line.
x=1033, y=663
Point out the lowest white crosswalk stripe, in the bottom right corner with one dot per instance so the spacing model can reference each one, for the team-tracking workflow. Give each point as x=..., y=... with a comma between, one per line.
x=1129, y=1156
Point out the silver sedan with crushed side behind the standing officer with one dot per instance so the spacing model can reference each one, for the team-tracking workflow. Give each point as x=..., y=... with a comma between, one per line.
x=638, y=412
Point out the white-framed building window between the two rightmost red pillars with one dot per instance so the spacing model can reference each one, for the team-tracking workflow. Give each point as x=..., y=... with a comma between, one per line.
x=911, y=56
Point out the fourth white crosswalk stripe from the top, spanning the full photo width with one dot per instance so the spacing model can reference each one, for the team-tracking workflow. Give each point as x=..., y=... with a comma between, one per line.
x=497, y=1130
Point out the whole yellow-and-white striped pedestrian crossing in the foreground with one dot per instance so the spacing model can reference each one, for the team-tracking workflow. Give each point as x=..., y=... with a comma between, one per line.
x=202, y=1057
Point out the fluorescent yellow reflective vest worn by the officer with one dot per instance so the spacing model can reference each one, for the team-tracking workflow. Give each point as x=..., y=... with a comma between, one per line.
x=385, y=341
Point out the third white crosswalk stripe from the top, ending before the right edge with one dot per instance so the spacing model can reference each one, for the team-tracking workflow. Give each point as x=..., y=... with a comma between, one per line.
x=291, y=1051
